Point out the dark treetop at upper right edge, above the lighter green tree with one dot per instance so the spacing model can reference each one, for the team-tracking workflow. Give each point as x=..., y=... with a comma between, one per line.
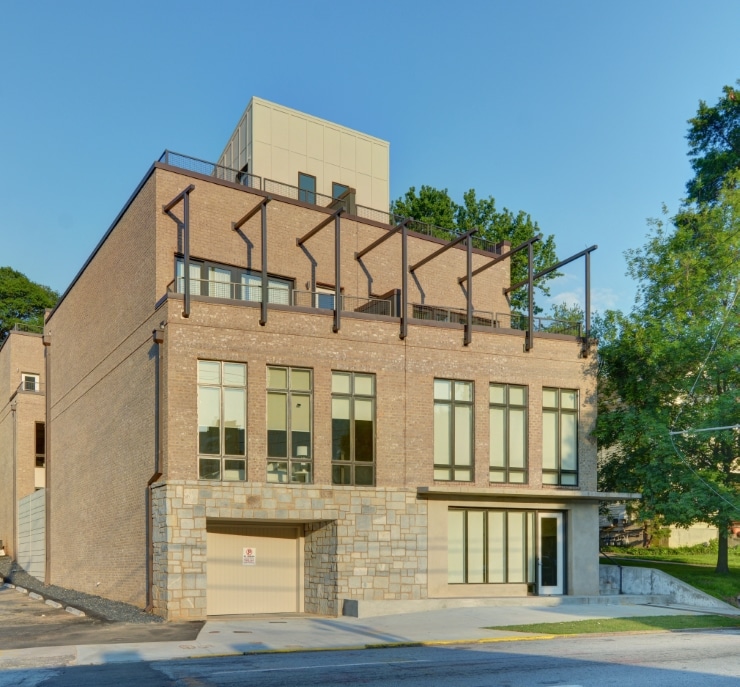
x=714, y=140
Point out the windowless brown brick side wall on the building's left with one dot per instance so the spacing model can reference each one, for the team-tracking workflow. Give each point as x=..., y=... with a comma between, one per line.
x=103, y=413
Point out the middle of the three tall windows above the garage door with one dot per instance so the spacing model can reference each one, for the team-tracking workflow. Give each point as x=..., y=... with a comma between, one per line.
x=289, y=444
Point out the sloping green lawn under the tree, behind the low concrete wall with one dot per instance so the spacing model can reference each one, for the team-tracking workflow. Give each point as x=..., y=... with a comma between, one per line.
x=693, y=567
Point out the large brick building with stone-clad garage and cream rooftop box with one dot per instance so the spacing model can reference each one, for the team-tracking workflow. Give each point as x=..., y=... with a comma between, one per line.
x=264, y=398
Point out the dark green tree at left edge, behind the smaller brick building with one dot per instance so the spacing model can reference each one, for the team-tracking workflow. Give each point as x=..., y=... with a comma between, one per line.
x=22, y=301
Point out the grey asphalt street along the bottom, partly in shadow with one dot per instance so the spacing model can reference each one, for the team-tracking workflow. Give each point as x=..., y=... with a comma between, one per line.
x=679, y=659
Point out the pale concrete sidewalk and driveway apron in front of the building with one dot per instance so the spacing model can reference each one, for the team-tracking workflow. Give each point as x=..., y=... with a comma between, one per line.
x=256, y=634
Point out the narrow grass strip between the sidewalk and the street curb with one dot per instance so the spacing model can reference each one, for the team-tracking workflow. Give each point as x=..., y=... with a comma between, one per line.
x=647, y=624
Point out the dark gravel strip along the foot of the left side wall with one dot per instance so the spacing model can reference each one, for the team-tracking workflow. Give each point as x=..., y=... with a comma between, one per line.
x=94, y=606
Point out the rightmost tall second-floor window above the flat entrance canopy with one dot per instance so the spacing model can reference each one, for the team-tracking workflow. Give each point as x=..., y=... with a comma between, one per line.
x=560, y=436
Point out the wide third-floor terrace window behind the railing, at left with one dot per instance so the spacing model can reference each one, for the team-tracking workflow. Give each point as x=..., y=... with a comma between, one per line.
x=223, y=281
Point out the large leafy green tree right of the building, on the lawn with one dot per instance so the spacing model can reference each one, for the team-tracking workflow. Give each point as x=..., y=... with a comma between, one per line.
x=669, y=372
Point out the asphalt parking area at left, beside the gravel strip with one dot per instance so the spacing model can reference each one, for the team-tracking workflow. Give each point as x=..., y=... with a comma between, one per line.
x=26, y=623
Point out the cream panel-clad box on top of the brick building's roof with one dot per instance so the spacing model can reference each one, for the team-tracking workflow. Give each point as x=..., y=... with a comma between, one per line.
x=276, y=142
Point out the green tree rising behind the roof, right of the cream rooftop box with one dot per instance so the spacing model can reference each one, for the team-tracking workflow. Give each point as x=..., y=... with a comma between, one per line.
x=434, y=206
